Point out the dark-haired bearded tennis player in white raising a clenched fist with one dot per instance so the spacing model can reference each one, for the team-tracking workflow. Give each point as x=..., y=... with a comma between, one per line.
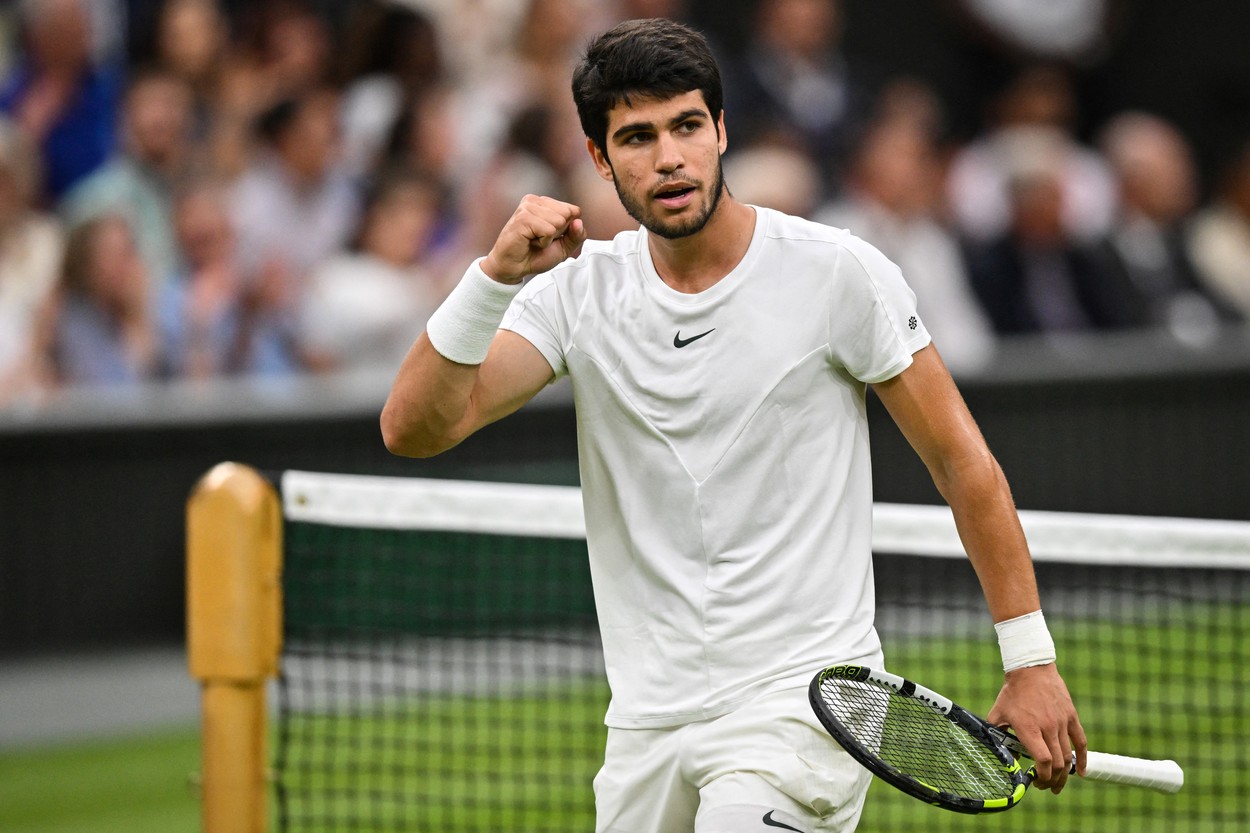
x=721, y=358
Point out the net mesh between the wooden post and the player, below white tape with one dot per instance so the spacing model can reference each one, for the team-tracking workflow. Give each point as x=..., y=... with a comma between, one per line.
x=437, y=682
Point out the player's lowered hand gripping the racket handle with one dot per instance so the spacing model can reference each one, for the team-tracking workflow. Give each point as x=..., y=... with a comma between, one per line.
x=1036, y=705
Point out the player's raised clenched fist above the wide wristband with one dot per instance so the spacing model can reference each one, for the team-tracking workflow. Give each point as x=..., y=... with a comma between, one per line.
x=541, y=235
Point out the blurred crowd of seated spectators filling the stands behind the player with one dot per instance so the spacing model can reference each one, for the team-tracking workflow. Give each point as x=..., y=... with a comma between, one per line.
x=274, y=189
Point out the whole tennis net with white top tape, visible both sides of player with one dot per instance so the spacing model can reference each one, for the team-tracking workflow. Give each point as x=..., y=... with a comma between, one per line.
x=437, y=680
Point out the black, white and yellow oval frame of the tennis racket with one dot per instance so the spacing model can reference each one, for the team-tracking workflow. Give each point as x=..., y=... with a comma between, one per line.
x=989, y=736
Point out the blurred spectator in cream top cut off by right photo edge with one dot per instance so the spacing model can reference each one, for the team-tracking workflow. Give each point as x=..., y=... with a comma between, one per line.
x=1221, y=238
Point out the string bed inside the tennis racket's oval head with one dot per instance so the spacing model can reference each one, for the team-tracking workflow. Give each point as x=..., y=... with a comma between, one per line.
x=917, y=741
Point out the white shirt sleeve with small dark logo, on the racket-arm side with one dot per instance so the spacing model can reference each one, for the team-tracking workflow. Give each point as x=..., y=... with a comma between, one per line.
x=874, y=325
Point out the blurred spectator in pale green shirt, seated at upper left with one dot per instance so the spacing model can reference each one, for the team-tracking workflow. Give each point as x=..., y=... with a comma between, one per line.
x=139, y=183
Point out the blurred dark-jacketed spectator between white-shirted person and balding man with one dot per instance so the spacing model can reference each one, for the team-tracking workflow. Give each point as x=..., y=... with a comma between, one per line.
x=1034, y=278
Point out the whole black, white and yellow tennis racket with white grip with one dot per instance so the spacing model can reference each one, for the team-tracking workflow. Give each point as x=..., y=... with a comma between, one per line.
x=933, y=750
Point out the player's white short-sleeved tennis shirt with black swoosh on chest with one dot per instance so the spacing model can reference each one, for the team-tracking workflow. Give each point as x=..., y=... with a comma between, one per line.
x=724, y=457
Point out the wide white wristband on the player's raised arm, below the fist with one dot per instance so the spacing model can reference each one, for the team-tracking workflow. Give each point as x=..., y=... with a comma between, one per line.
x=464, y=326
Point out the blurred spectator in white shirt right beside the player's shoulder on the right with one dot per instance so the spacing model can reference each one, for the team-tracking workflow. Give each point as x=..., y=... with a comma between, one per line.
x=893, y=199
